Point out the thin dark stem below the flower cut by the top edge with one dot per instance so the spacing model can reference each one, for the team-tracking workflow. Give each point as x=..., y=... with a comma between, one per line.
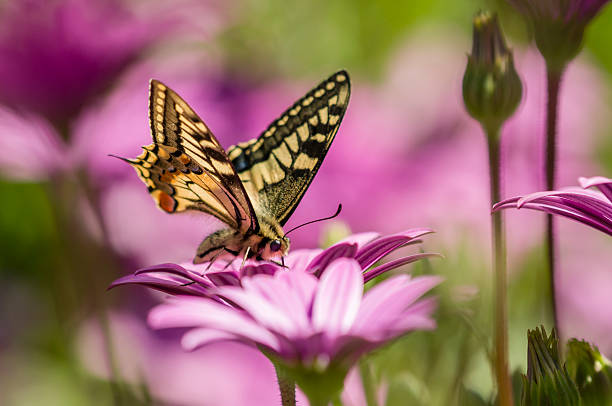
x=553, y=78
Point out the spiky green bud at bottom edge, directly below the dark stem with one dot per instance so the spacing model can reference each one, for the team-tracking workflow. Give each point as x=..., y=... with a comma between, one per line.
x=547, y=382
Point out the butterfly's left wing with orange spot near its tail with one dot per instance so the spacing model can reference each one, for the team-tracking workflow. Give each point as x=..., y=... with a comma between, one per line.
x=186, y=168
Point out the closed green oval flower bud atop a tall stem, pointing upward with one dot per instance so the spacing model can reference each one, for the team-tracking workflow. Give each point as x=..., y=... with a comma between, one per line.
x=491, y=87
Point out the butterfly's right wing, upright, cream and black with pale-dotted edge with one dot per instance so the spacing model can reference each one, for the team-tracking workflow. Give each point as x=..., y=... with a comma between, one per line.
x=279, y=165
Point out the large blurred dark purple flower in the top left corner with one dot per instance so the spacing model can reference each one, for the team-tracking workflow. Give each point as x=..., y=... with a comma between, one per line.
x=56, y=57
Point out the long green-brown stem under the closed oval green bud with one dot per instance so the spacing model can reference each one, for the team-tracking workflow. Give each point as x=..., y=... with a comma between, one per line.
x=500, y=276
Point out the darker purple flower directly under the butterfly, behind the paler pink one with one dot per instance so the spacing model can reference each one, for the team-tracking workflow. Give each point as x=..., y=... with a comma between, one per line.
x=202, y=280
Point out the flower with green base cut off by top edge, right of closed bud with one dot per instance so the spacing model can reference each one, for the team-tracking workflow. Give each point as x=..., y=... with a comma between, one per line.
x=558, y=26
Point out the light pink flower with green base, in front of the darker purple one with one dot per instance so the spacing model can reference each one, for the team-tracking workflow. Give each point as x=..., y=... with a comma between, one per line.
x=315, y=329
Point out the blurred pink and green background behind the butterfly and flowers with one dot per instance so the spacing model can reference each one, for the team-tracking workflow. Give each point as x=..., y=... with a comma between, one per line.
x=73, y=88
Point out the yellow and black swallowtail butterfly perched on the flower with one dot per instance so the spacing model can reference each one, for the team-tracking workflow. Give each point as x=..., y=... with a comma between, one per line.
x=256, y=185
